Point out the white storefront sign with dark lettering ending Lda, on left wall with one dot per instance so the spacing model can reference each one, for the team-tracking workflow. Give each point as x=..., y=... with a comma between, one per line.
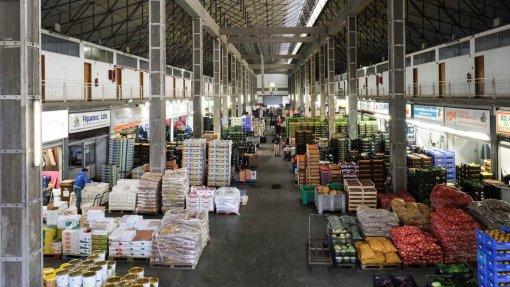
x=81, y=122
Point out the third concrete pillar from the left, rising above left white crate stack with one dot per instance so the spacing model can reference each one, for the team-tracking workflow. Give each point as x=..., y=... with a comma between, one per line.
x=198, y=76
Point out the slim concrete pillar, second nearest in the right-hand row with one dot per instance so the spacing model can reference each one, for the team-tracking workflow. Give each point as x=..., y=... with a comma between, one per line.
x=352, y=60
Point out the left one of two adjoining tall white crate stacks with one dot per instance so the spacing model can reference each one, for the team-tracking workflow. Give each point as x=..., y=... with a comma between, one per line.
x=194, y=160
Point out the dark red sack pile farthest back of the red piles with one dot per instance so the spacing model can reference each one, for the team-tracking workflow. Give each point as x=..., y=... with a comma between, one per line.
x=444, y=196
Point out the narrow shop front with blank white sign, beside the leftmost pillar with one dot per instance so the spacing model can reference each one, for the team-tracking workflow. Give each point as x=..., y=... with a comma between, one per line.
x=54, y=132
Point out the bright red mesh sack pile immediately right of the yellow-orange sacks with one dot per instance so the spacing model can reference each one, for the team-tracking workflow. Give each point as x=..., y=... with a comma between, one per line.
x=415, y=246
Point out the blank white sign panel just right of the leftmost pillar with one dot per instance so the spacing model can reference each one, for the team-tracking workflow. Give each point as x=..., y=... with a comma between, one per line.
x=54, y=125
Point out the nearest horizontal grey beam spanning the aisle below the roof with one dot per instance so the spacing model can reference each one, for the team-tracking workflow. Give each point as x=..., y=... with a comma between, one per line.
x=271, y=30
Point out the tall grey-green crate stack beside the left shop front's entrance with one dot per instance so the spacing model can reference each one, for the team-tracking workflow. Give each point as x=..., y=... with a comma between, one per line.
x=121, y=153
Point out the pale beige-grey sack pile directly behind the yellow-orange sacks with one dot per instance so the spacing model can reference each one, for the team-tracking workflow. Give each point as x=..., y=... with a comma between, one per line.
x=376, y=222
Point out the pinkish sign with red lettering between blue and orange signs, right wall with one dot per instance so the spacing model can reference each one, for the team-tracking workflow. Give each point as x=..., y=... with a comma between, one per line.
x=468, y=120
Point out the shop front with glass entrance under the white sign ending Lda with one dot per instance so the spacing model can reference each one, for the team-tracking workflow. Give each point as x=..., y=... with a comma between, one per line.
x=88, y=142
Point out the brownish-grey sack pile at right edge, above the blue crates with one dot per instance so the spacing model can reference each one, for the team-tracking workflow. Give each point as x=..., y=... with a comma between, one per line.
x=492, y=213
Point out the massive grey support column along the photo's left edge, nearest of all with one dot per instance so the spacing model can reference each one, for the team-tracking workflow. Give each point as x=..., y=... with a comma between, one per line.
x=20, y=145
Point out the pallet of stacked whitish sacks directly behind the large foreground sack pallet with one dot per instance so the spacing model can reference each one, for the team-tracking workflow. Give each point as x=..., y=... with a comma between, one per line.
x=175, y=187
